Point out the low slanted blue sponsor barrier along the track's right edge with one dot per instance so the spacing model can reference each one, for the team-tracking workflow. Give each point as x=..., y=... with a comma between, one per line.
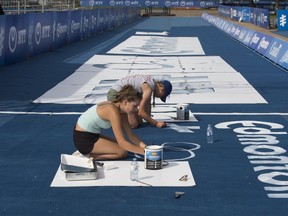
x=272, y=48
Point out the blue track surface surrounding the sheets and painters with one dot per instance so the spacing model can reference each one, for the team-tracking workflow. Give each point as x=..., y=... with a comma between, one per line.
x=231, y=179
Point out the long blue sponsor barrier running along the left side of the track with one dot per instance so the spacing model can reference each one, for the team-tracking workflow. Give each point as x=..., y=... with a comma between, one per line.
x=26, y=35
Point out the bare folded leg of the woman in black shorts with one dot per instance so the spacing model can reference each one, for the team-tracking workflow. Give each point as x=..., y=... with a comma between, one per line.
x=107, y=148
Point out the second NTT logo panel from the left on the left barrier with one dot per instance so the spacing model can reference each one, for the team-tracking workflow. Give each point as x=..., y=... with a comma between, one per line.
x=41, y=32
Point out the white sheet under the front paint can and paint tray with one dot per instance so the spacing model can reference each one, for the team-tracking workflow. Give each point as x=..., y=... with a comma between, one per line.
x=168, y=176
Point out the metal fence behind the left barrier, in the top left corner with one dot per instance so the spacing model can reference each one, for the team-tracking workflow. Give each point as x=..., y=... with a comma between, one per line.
x=26, y=6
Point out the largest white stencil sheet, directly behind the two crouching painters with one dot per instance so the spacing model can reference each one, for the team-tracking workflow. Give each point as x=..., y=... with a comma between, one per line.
x=195, y=80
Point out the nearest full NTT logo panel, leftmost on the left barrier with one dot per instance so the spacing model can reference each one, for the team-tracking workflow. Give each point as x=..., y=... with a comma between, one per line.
x=15, y=44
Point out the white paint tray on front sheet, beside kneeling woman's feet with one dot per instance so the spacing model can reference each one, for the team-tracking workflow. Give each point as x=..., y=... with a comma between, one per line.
x=78, y=168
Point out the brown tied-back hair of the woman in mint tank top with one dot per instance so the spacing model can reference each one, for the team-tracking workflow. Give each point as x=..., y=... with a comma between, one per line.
x=129, y=93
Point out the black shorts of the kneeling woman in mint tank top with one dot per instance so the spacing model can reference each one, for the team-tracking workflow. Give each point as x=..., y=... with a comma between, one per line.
x=84, y=141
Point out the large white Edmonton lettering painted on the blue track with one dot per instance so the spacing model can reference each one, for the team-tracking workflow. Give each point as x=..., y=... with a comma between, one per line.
x=261, y=146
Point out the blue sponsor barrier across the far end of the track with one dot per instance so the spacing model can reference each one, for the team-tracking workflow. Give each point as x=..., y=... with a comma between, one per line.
x=151, y=3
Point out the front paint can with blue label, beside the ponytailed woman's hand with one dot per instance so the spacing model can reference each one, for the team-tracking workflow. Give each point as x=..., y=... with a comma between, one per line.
x=153, y=157
